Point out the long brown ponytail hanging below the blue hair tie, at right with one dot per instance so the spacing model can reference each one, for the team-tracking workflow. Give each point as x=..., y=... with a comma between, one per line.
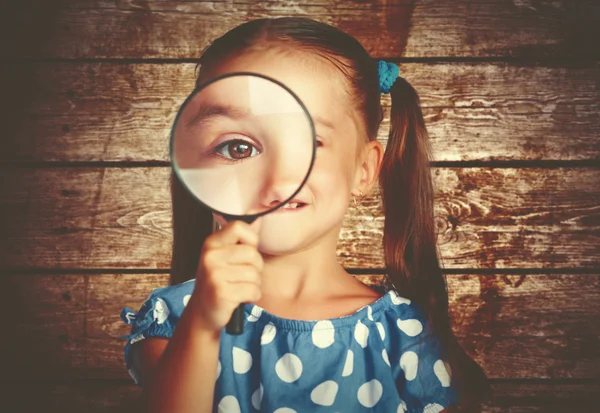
x=409, y=237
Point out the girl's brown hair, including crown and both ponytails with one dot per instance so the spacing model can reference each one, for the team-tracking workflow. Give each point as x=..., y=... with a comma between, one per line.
x=409, y=238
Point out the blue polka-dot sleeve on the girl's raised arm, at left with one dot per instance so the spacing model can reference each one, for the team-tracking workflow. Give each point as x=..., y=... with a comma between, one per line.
x=157, y=317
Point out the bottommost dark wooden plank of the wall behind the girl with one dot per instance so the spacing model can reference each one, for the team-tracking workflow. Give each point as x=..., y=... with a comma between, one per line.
x=117, y=396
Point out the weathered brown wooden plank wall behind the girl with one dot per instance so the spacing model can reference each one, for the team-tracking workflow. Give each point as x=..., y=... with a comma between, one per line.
x=510, y=94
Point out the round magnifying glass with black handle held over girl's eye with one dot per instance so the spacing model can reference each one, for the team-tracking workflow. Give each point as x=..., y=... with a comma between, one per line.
x=243, y=144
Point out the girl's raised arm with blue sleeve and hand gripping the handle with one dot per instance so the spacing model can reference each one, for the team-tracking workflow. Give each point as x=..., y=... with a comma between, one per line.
x=178, y=370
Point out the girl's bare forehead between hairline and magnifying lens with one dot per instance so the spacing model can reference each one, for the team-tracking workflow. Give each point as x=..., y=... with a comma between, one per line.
x=318, y=85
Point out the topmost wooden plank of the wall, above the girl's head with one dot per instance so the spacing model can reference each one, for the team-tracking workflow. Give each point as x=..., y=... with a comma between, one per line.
x=387, y=28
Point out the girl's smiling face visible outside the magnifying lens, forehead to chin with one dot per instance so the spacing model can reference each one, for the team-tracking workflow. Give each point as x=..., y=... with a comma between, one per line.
x=336, y=171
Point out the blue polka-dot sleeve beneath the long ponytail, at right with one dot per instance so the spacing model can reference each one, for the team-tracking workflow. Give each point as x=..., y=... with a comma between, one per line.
x=423, y=376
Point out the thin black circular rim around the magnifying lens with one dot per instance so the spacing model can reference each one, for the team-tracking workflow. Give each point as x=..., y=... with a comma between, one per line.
x=196, y=90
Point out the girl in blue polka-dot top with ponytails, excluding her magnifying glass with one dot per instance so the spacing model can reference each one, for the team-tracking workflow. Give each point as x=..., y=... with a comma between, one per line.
x=315, y=339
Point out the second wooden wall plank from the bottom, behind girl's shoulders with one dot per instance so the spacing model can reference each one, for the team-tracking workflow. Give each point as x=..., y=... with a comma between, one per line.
x=512, y=325
